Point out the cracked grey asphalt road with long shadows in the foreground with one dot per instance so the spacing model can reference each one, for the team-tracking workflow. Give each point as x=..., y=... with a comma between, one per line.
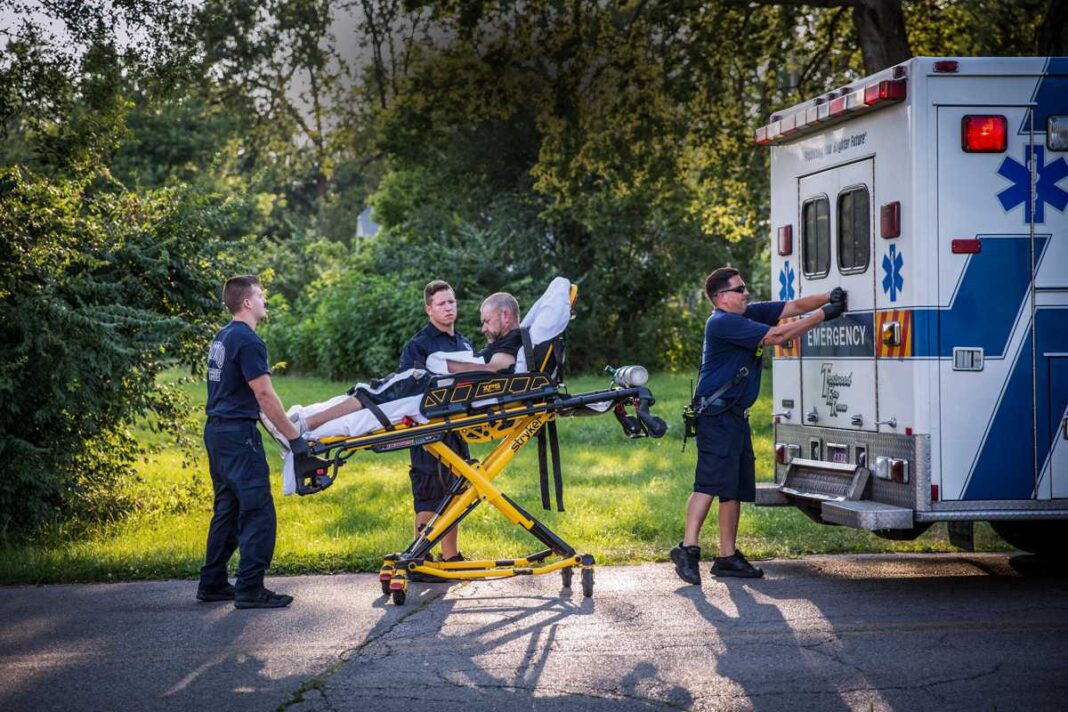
x=929, y=632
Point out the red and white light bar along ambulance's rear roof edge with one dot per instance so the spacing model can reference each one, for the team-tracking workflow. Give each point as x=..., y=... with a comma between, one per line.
x=830, y=109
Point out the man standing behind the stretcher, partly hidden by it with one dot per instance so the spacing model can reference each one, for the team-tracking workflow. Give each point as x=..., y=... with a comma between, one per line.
x=430, y=481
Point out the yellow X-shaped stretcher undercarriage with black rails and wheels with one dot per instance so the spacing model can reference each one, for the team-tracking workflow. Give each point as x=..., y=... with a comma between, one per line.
x=514, y=425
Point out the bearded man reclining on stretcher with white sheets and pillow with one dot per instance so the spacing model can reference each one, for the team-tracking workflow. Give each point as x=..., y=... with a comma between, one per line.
x=399, y=395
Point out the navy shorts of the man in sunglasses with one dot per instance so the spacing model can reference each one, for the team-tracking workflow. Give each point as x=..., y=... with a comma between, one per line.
x=727, y=467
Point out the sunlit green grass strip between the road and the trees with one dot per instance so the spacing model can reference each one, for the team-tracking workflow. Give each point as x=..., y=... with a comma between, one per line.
x=625, y=501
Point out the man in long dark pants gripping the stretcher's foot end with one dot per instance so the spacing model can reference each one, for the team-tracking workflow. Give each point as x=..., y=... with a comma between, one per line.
x=239, y=388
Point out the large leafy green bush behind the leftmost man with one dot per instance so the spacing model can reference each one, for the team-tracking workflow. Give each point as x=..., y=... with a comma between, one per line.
x=100, y=292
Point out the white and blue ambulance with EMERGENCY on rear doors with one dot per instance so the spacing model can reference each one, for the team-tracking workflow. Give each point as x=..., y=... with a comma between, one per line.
x=935, y=193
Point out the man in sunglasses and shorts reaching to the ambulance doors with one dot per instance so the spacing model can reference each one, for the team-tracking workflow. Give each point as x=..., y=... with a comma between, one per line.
x=734, y=336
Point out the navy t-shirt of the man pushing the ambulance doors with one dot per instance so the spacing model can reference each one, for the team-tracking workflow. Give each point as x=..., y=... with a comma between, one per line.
x=731, y=342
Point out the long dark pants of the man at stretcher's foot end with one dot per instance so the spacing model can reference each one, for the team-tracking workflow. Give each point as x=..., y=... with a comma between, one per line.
x=244, y=509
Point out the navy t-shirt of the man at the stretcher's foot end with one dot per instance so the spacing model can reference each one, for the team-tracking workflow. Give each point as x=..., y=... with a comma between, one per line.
x=237, y=357
